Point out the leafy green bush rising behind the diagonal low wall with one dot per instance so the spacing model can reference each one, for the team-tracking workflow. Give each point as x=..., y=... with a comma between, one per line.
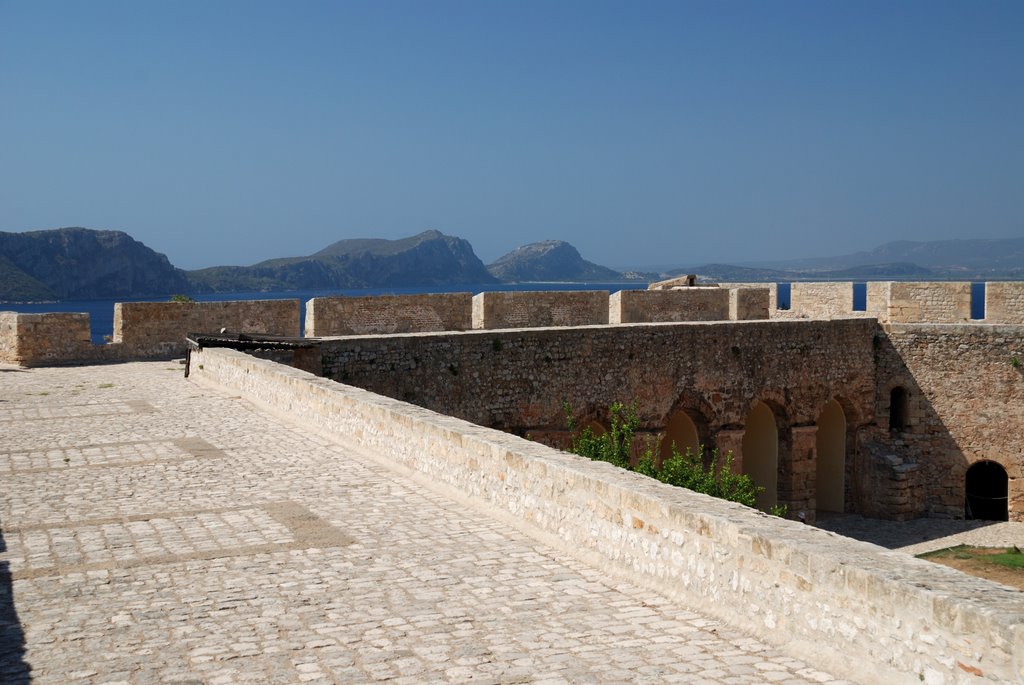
x=693, y=472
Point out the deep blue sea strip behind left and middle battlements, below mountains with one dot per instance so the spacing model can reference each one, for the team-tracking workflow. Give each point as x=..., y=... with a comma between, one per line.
x=102, y=312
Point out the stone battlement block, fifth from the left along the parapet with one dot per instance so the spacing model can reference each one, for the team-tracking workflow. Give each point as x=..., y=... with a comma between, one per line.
x=682, y=305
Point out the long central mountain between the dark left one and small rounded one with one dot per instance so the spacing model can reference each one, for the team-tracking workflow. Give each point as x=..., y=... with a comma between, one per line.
x=431, y=259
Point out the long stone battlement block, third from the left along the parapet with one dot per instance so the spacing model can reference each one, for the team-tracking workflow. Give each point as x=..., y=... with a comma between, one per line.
x=389, y=314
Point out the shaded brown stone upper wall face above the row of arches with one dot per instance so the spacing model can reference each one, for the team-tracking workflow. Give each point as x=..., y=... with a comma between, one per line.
x=517, y=379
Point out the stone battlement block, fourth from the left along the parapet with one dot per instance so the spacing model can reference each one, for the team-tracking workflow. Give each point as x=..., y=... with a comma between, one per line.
x=540, y=309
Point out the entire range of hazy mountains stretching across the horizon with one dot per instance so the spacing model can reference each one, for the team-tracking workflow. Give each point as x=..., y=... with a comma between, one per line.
x=81, y=264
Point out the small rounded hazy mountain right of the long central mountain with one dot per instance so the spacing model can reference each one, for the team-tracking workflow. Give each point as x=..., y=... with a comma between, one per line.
x=549, y=261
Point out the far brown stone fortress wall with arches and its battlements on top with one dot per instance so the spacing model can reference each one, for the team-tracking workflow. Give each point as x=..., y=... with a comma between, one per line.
x=961, y=379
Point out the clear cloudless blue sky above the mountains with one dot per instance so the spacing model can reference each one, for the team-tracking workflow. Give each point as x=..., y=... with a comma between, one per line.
x=224, y=133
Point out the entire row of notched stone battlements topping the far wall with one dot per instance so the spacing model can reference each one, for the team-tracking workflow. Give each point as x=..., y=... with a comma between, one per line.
x=149, y=330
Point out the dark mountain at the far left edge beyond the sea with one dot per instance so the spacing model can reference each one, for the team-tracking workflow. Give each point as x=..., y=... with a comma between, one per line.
x=79, y=264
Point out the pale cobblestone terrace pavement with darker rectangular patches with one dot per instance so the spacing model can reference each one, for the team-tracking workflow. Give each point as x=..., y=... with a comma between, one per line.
x=154, y=532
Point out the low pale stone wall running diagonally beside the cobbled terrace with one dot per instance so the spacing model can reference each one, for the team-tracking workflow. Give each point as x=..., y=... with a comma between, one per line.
x=834, y=601
